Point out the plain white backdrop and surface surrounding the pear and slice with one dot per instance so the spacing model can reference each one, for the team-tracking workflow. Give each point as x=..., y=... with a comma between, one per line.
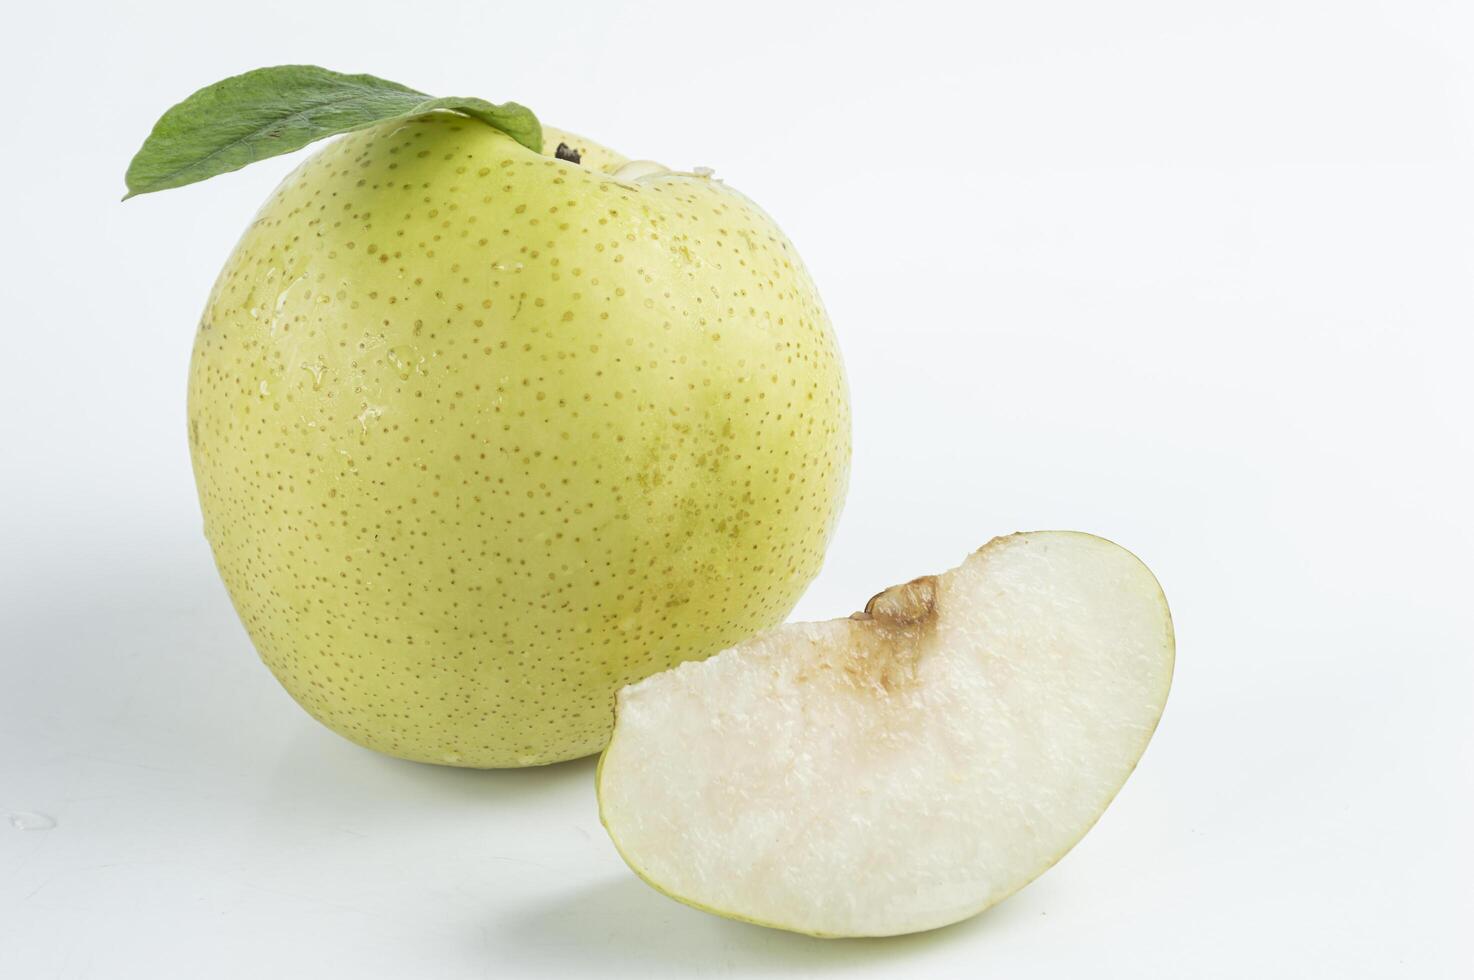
x=1198, y=278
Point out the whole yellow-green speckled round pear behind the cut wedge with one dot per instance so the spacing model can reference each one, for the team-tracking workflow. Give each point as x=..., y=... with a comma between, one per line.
x=483, y=435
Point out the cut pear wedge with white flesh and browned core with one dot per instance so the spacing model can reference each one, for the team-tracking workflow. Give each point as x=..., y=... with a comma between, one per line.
x=907, y=767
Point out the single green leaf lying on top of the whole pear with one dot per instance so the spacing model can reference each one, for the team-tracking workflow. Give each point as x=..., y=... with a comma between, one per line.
x=273, y=111
